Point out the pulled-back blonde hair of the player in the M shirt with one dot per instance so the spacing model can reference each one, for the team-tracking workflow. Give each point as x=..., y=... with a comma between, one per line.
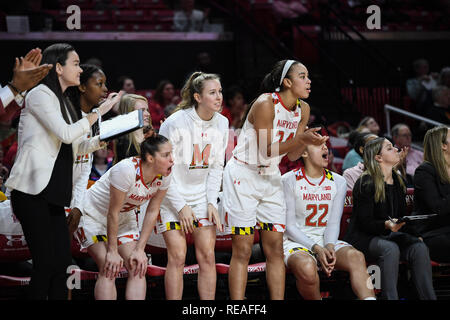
x=193, y=85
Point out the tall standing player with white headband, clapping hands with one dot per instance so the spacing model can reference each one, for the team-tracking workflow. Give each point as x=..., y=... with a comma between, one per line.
x=274, y=126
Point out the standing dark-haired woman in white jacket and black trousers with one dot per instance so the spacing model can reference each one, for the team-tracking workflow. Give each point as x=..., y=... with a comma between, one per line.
x=41, y=177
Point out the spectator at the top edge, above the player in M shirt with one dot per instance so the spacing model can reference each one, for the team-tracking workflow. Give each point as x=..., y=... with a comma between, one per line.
x=189, y=19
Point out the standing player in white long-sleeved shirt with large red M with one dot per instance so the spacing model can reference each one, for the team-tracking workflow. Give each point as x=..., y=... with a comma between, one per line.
x=199, y=134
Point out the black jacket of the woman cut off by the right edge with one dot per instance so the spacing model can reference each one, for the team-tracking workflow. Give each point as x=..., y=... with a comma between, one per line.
x=431, y=196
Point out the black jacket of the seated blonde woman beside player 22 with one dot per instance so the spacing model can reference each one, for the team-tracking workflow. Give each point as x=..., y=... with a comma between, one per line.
x=368, y=217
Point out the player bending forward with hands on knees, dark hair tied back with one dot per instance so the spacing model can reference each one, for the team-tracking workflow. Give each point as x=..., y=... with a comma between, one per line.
x=108, y=226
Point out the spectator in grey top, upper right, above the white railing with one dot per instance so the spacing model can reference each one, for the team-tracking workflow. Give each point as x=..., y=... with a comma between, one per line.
x=419, y=88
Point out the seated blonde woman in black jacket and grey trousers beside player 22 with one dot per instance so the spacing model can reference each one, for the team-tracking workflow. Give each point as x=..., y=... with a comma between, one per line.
x=378, y=201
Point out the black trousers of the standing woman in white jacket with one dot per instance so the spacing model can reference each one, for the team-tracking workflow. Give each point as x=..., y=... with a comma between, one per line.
x=45, y=229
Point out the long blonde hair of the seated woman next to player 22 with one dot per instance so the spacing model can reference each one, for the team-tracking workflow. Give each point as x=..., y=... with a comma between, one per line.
x=373, y=169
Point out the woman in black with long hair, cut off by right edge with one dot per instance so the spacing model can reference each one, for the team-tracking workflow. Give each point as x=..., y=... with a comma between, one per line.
x=432, y=193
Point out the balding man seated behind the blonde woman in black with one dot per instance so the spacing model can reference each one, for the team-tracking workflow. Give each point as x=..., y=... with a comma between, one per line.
x=401, y=136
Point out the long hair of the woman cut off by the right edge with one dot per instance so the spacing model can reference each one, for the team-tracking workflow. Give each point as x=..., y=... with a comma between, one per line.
x=432, y=153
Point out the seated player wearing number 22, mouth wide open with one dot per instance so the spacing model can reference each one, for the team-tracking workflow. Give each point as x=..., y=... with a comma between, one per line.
x=314, y=203
